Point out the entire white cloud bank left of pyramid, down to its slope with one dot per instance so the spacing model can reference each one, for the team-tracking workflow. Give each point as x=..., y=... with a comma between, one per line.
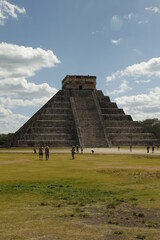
x=17, y=63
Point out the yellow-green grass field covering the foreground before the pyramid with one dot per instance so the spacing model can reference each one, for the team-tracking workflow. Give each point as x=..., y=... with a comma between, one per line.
x=92, y=197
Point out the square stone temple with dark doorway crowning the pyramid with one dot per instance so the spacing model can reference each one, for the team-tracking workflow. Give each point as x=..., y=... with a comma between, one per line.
x=79, y=82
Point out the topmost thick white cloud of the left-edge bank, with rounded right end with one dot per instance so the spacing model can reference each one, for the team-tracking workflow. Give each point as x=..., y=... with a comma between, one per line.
x=19, y=61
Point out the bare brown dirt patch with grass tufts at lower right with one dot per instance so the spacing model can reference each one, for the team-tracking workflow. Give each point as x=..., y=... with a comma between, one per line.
x=125, y=215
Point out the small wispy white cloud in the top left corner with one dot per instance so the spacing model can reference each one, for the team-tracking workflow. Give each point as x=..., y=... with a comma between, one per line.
x=9, y=10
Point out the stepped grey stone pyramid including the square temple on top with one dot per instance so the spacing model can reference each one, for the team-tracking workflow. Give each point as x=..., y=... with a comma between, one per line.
x=79, y=114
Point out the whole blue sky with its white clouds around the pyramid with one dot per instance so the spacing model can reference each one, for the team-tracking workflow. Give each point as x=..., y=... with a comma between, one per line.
x=43, y=41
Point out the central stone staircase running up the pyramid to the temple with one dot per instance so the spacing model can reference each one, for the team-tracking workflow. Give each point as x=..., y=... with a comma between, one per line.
x=91, y=130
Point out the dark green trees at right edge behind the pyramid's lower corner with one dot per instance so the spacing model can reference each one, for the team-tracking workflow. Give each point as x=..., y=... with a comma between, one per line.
x=152, y=126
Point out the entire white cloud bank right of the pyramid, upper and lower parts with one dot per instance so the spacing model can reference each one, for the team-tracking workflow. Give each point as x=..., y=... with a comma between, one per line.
x=142, y=105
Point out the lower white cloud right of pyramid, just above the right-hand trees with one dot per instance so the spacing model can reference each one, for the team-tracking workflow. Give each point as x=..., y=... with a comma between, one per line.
x=141, y=106
